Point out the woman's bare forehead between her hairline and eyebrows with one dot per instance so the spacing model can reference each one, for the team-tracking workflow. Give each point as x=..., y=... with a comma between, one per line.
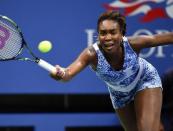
x=108, y=25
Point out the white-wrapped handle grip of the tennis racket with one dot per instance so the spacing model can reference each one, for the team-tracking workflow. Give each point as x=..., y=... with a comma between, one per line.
x=45, y=65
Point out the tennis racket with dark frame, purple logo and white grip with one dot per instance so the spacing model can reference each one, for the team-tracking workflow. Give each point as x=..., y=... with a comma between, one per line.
x=12, y=44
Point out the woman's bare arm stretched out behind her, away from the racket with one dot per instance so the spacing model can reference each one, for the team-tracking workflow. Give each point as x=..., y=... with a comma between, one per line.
x=144, y=41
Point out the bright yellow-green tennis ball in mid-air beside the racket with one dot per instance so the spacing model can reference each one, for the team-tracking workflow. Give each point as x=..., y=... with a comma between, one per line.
x=45, y=46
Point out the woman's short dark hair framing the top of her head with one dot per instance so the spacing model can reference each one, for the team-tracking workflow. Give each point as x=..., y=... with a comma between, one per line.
x=115, y=16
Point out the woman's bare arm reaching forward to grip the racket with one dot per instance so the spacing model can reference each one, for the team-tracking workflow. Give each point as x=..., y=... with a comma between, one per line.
x=87, y=57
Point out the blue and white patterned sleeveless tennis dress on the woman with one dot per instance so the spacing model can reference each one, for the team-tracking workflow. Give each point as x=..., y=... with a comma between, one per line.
x=137, y=74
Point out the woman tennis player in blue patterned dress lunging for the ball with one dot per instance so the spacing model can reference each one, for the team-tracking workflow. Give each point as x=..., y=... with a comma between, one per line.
x=134, y=84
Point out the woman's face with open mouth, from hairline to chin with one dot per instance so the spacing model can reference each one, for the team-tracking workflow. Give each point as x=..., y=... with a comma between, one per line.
x=110, y=36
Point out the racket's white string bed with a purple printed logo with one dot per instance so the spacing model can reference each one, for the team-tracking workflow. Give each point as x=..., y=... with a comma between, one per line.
x=12, y=46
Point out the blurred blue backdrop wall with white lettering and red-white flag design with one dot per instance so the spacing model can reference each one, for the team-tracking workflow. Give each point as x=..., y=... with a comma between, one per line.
x=31, y=101
